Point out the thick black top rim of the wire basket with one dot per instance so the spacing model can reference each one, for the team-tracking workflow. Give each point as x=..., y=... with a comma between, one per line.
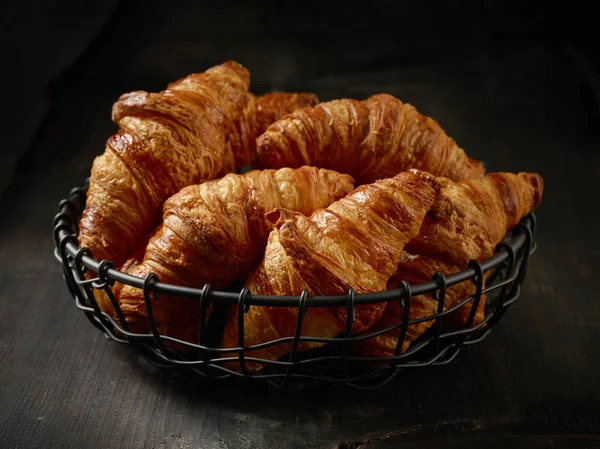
x=65, y=230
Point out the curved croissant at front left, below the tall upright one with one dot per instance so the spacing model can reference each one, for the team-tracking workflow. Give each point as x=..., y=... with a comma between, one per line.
x=216, y=233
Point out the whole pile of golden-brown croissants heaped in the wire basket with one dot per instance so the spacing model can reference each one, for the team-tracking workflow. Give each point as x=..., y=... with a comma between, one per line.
x=416, y=211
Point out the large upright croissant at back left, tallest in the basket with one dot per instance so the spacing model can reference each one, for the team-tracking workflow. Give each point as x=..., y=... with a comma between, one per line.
x=200, y=128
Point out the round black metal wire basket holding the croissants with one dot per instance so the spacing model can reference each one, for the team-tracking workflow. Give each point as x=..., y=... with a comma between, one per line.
x=330, y=364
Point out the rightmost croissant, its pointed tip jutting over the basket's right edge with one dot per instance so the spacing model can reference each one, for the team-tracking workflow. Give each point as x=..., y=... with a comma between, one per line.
x=466, y=222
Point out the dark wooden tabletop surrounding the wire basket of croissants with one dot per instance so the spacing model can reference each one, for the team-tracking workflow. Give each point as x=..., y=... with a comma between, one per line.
x=516, y=86
